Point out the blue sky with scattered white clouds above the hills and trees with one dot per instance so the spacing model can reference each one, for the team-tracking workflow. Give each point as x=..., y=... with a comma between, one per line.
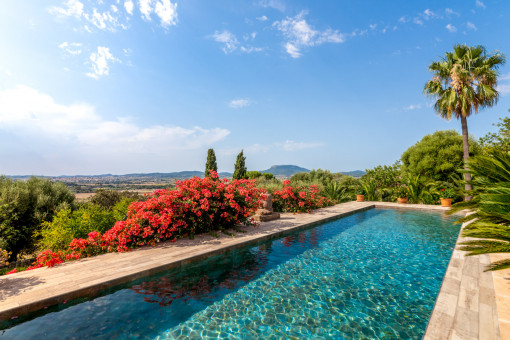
x=91, y=87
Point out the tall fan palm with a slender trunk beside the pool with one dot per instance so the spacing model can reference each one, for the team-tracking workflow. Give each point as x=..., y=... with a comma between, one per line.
x=464, y=80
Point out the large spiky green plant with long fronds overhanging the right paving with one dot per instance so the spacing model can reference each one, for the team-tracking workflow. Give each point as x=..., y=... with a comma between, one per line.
x=491, y=206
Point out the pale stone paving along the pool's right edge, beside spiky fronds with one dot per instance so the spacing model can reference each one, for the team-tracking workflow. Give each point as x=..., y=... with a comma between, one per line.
x=466, y=307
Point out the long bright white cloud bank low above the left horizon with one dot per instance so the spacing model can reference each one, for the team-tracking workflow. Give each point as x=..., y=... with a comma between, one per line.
x=37, y=116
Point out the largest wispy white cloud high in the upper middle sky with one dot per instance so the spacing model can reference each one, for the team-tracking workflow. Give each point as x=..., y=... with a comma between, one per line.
x=299, y=34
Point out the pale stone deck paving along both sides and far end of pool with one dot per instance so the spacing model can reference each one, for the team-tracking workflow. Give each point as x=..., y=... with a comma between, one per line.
x=465, y=309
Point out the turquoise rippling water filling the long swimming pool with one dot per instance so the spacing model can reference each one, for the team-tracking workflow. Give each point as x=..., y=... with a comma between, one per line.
x=372, y=275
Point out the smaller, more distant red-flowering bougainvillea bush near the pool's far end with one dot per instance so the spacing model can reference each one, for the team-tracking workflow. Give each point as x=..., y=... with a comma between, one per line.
x=299, y=198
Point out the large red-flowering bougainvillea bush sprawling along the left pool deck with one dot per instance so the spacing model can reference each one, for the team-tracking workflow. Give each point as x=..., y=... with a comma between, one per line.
x=195, y=206
